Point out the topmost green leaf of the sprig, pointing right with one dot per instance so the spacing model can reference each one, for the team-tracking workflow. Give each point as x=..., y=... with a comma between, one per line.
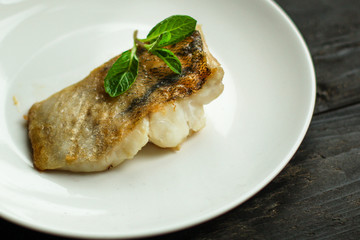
x=178, y=28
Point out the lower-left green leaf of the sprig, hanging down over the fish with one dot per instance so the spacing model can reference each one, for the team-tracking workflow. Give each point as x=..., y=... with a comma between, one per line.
x=122, y=74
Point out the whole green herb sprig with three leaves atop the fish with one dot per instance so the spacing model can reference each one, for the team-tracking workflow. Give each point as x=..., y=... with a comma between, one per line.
x=171, y=30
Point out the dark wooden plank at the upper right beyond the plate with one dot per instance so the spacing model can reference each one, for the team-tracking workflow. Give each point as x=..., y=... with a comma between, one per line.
x=332, y=31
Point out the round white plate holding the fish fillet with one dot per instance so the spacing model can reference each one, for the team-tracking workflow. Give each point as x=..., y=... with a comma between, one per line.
x=252, y=131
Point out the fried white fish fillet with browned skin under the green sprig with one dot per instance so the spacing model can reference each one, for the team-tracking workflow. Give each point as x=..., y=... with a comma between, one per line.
x=82, y=129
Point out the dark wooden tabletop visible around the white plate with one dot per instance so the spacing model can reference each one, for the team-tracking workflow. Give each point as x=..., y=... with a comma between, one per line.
x=317, y=195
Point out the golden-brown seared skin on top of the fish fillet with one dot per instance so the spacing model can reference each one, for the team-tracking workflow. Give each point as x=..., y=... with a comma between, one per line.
x=85, y=123
